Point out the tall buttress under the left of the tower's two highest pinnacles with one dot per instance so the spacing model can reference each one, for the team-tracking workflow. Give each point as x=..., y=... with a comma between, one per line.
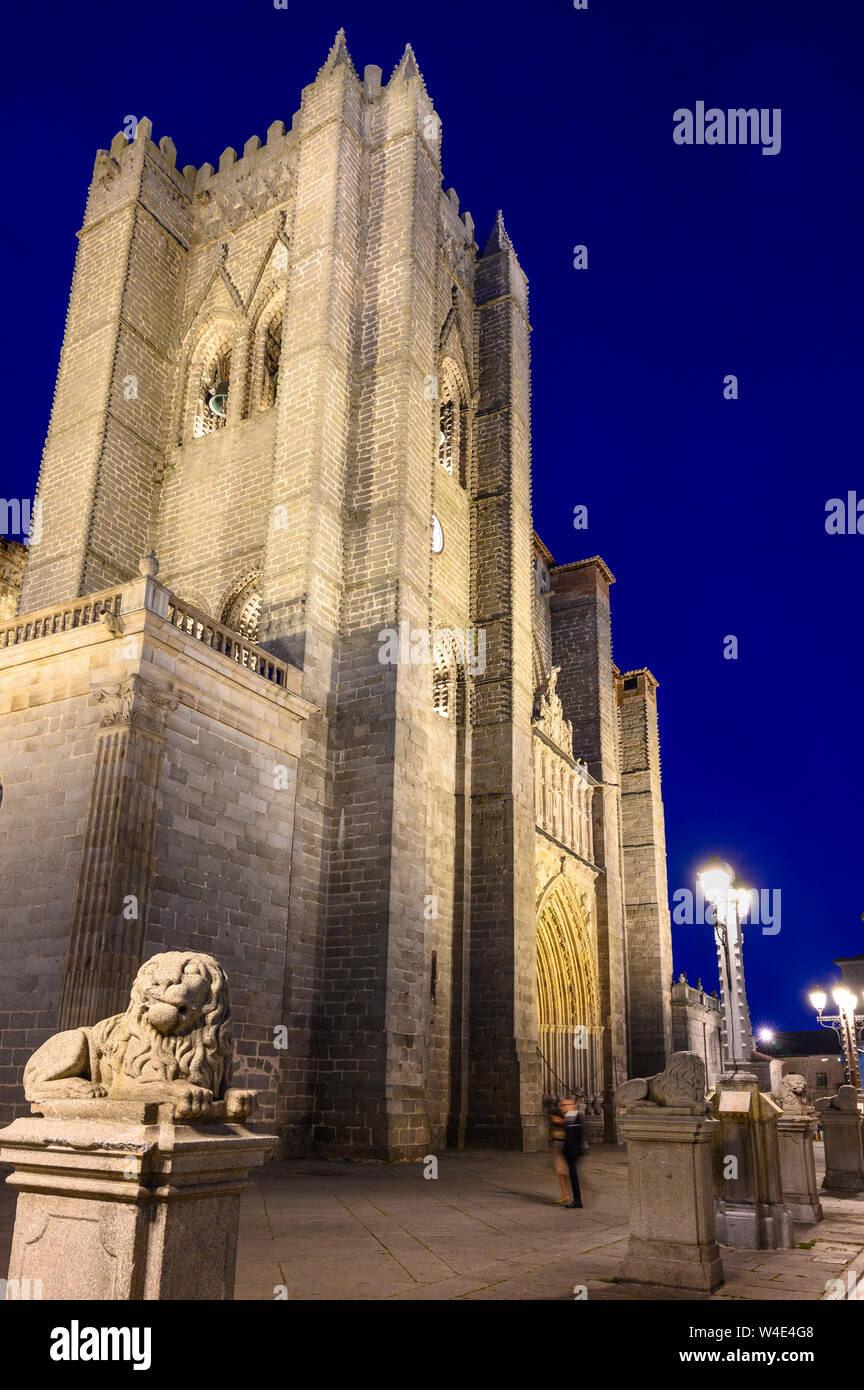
x=304, y=562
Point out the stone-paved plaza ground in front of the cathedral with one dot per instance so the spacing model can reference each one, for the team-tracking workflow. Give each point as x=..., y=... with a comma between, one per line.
x=488, y=1228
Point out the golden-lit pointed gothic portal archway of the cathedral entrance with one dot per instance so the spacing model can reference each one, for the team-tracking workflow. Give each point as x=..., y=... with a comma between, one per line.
x=569, y=1004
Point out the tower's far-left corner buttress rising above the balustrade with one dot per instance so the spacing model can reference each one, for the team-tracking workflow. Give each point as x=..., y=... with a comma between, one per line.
x=106, y=444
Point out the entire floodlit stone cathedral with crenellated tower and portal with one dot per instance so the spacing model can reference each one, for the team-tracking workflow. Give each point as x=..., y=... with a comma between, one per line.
x=288, y=676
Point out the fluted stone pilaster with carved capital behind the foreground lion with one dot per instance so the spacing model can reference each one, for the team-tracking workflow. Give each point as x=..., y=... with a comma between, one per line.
x=115, y=879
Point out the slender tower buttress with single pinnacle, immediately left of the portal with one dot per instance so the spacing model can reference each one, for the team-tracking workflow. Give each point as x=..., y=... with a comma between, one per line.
x=504, y=1103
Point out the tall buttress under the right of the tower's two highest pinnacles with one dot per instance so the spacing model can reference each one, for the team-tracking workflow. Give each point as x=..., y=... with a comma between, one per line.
x=373, y=1067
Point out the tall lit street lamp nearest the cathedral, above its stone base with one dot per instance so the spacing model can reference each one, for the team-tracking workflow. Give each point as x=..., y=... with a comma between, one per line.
x=731, y=906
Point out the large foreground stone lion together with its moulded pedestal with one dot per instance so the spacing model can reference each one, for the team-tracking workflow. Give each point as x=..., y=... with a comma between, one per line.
x=131, y=1168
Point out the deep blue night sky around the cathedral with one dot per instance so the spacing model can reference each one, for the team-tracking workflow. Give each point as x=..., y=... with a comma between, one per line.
x=702, y=262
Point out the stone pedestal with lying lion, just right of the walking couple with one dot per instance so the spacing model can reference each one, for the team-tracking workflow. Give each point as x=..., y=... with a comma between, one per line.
x=669, y=1140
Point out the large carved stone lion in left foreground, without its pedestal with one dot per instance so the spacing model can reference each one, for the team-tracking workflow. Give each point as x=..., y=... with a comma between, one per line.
x=173, y=1045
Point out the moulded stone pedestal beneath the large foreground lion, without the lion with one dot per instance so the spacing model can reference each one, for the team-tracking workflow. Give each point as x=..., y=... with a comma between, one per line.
x=116, y=1202
